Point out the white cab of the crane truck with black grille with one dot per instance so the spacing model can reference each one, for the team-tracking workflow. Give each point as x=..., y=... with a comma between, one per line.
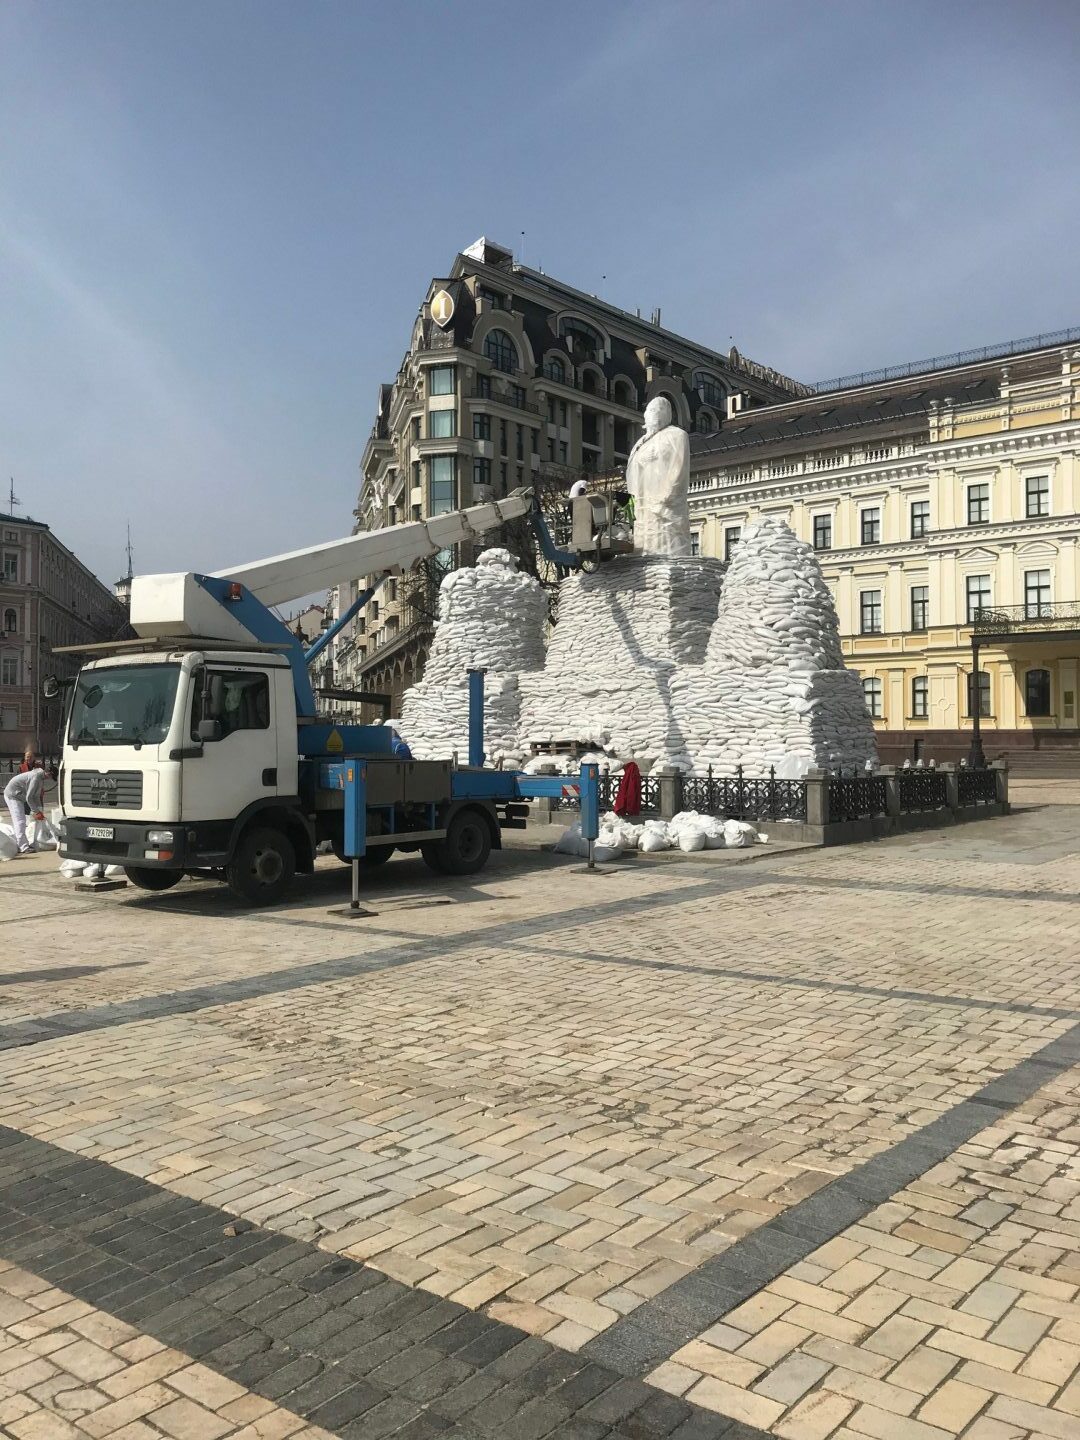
x=172, y=755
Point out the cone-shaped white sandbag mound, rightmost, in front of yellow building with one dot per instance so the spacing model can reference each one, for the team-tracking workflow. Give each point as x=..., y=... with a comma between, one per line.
x=774, y=689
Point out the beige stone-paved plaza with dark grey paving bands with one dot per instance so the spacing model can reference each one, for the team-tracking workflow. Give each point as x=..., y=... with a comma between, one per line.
x=747, y=1144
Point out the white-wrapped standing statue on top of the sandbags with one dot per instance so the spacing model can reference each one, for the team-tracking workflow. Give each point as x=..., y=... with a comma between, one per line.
x=659, y=479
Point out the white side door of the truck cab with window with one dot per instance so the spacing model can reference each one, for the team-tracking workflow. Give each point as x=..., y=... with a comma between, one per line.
x=234, y=748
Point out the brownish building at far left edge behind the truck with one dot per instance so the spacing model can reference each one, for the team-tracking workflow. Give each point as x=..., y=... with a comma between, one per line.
x=48, y=600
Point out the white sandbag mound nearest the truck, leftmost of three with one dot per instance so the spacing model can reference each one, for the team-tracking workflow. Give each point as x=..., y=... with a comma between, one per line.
x=492, y=617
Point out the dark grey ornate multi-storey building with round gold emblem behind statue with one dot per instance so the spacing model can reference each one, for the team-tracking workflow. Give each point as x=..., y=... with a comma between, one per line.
x=513, y=379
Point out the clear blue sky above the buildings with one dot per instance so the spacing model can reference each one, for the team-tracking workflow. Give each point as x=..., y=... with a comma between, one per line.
x=220, y=217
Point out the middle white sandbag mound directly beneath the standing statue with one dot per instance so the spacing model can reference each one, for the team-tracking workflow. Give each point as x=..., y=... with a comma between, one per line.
x=624, y=631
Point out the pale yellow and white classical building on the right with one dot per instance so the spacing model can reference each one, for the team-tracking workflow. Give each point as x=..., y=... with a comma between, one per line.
x=942, y=503
